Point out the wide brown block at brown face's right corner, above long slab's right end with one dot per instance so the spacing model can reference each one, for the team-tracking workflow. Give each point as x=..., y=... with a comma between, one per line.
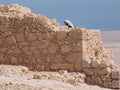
x=74, y=57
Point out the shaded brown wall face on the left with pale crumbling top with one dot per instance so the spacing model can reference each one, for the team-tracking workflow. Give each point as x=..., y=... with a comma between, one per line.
x=30, y=40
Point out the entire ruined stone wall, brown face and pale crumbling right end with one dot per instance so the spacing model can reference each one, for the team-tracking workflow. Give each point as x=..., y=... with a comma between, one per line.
x=39, y=43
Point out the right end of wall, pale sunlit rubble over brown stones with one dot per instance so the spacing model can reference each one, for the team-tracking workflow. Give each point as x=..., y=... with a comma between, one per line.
x=98, y=63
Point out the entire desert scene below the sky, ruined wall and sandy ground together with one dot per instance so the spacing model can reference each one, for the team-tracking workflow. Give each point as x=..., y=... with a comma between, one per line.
x=29, y=41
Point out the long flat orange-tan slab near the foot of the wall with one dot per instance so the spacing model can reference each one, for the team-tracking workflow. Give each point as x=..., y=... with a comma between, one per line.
x=61, y=66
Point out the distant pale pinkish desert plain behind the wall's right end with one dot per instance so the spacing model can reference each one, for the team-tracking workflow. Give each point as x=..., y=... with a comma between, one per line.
x=111, y=41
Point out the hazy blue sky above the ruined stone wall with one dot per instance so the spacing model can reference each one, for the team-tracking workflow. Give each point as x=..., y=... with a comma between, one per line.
x=100, y=14
